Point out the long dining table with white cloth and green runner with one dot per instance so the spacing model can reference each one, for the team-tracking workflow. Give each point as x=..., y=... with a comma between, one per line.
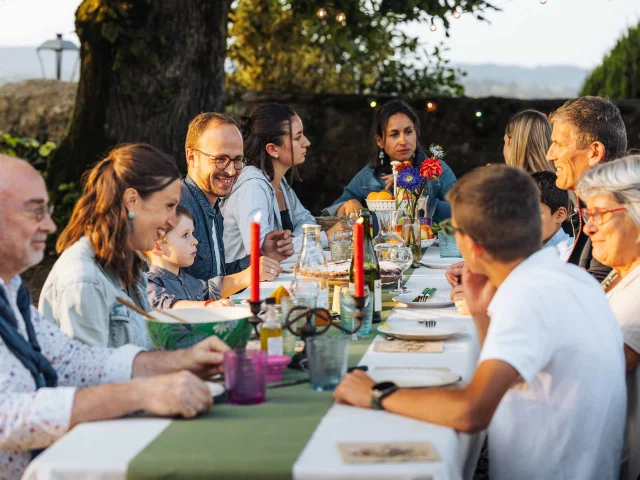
x=293, y=434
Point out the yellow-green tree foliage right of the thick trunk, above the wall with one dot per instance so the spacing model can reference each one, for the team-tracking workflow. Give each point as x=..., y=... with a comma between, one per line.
x=282, y=45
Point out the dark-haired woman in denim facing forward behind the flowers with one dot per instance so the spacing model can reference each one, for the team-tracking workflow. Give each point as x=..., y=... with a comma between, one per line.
x=396, y=128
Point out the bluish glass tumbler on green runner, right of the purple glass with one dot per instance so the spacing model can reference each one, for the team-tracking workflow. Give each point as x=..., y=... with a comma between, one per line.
x=328, y=358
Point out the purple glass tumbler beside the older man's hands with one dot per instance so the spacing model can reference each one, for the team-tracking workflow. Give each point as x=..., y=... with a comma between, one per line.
x=245, y=376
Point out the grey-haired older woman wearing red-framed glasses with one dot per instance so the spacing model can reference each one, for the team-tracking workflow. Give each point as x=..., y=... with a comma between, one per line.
x=612, y=220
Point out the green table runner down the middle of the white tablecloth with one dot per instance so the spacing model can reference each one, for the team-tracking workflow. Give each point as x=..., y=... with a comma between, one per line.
x=244, y=442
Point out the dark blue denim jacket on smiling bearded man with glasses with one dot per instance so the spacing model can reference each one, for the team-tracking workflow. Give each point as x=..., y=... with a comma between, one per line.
x=205, y=216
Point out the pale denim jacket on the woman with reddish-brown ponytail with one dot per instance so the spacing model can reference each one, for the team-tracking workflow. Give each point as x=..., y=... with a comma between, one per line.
x=80, y=297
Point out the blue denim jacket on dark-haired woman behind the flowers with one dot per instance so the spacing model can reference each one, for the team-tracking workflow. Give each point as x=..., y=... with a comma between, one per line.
x=366, y=182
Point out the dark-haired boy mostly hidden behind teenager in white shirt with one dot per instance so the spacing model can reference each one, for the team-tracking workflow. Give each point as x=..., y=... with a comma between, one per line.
x=554, y=205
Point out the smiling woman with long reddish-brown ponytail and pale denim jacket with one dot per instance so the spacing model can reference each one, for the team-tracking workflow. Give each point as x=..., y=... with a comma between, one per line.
x=128, y=202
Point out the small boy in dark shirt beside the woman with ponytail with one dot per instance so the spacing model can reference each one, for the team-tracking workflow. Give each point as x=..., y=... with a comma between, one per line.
x=169, y=286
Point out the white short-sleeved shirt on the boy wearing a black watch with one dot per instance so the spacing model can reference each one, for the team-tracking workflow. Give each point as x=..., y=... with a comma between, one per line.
x=551, y=322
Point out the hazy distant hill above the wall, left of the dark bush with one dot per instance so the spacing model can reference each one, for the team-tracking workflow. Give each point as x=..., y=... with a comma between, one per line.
x=484, y=80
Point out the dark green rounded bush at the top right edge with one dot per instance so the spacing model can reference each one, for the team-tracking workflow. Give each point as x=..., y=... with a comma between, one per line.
x=619, y=74
